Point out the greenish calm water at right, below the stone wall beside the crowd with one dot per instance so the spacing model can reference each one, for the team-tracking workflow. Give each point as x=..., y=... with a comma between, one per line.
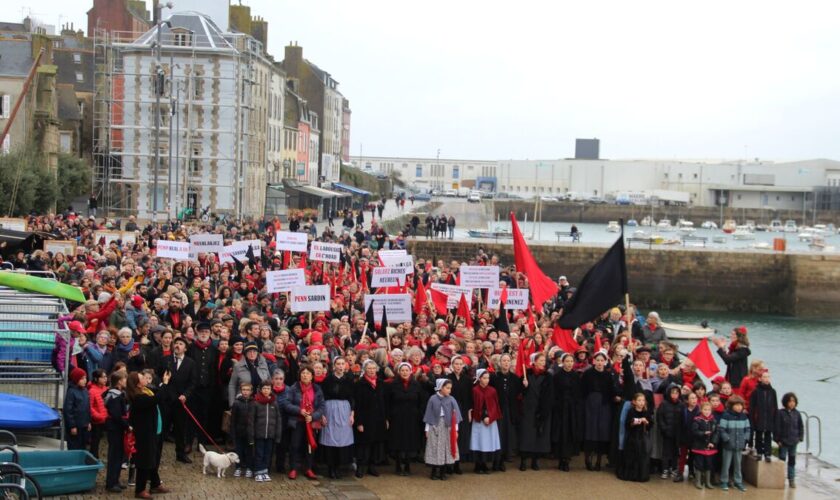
x=798, y=353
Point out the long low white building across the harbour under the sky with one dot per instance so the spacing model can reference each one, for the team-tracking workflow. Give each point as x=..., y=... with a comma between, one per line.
x=739, y=184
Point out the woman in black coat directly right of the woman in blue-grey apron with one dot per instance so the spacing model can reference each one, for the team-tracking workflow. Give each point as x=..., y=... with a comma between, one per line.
x=369, y=424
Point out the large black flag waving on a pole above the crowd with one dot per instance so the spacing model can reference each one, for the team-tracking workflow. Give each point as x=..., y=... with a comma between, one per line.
x=603, y=287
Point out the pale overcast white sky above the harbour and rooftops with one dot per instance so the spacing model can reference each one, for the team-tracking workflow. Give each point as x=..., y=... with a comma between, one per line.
x=501, y=79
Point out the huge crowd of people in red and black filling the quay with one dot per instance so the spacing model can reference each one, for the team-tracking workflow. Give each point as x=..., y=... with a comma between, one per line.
x=199, y=352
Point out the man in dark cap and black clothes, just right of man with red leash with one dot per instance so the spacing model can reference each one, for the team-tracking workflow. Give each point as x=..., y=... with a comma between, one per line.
x=206, y=357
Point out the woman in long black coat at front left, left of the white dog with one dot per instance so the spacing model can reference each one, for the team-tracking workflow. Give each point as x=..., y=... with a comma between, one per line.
x=144, y=419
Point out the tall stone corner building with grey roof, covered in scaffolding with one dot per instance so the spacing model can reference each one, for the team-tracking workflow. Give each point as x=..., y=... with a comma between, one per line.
x=181, y=120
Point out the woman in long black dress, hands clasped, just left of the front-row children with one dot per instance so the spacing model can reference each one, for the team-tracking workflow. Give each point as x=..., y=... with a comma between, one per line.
x=635, y=463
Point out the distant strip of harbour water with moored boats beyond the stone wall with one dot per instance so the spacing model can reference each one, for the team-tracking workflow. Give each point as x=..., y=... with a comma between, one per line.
x=597, y=234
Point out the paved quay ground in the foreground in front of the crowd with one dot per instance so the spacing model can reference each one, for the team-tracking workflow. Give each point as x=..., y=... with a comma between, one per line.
x=820, y=482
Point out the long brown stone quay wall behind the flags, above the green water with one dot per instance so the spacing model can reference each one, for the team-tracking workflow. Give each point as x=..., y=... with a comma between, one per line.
x=696, y=279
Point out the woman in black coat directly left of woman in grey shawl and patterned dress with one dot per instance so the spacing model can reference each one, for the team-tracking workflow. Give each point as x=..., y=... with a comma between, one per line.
x=405, y=403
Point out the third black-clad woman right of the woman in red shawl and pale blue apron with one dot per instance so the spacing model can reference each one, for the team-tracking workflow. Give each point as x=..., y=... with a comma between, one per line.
x=567, y=415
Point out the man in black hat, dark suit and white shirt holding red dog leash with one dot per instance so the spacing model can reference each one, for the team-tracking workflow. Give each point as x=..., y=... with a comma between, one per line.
x=181, y=387
